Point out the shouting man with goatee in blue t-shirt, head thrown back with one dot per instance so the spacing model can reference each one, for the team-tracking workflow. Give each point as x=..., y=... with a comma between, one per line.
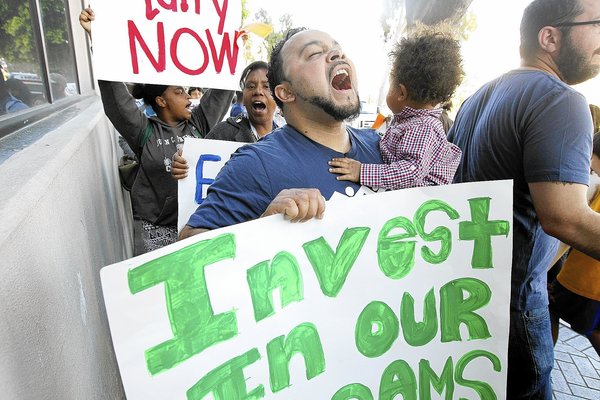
x=315, y=85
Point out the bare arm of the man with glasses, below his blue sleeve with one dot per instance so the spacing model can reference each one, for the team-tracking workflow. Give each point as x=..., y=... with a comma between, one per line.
x=564, y=213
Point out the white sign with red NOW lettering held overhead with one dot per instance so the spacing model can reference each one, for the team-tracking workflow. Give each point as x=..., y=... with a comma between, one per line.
x=188, y=43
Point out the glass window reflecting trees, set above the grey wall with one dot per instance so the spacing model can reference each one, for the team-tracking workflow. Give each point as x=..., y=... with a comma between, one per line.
x=37, y=58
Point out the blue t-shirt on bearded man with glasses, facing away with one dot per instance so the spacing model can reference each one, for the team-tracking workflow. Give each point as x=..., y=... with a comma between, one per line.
x=530, y=127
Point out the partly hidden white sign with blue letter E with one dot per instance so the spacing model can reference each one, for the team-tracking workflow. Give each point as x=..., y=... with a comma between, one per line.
x=205, y=159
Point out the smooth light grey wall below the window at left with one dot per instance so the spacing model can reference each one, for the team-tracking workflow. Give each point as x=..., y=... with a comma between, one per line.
x=63, y=217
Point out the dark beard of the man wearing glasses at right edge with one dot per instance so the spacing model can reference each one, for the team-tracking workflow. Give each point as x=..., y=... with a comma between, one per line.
x=572, y=63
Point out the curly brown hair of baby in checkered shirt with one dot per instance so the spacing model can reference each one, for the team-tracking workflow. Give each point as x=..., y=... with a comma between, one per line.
x=428, y=63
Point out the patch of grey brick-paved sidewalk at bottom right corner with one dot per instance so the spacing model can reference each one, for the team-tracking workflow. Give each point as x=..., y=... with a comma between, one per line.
x=576, y=373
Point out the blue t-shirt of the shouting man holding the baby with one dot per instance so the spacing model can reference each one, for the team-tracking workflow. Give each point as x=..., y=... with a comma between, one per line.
x=284, y=159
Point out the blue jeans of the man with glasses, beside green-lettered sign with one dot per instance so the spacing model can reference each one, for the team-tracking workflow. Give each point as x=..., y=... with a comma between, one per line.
x=530, y=355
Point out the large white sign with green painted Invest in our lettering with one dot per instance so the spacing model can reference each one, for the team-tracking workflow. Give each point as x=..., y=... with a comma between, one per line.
x=398, y=293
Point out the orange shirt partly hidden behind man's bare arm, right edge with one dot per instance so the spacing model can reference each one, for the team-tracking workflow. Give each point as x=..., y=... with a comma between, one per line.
x=581, y=273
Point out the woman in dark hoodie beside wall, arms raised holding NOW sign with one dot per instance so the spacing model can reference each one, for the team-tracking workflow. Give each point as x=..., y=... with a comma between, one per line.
x=155, y=141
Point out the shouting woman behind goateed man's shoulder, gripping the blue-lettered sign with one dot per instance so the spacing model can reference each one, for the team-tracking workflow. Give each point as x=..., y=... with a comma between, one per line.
x=245, y=128
